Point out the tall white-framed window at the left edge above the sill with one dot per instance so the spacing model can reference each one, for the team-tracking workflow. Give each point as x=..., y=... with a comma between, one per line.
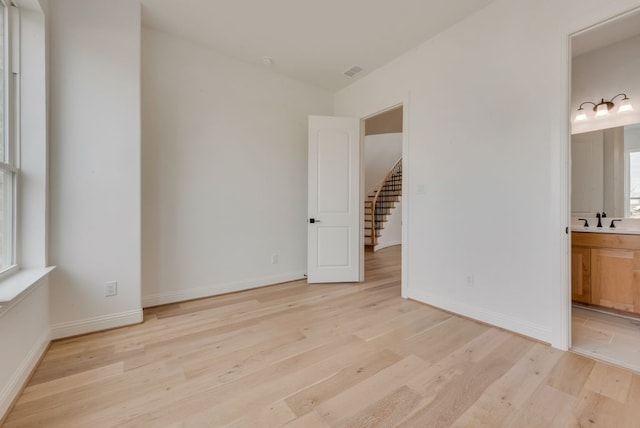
x=9, y=153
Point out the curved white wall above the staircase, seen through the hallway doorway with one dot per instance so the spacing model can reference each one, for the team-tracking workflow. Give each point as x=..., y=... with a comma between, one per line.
x=381, y=152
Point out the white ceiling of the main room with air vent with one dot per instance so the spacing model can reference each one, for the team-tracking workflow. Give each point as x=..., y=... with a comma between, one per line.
x=311, y=41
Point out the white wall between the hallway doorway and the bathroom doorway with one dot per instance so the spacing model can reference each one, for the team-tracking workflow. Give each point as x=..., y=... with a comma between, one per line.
x=486, y=175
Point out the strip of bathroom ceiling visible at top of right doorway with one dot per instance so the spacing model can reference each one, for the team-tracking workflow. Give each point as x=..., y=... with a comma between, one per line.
x=607, y=33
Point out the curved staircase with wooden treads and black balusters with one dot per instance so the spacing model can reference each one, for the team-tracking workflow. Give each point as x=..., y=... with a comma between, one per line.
x=380, y=202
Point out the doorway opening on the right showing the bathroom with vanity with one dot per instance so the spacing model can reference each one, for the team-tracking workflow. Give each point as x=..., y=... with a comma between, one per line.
x=605, y=312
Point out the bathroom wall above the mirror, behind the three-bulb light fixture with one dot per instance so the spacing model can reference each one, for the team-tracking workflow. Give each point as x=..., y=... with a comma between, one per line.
x=604, y=73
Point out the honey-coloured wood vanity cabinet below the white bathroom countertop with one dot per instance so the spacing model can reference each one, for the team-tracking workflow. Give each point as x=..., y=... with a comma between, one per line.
x=605, y=270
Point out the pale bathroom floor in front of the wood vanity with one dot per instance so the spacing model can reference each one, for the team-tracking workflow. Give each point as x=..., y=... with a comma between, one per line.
x=607, y=337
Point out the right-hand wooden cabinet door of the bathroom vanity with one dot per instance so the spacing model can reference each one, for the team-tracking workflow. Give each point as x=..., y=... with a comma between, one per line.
x=615, y=279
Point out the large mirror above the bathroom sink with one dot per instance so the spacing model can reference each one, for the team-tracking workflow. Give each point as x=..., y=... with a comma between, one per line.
x=605, y=172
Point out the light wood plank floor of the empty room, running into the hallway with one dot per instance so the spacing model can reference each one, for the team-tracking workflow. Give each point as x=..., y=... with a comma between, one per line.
x=301, y=355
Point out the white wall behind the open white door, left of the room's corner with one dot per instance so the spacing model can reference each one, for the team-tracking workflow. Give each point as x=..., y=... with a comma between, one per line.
x=224, y=171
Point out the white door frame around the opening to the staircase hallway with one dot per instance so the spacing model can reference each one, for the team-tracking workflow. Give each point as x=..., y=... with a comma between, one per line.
x=404, y=264
